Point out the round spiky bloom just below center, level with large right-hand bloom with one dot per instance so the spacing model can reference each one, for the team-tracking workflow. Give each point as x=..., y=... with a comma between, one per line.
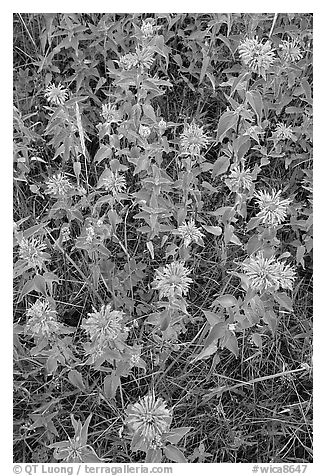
x=172, y=280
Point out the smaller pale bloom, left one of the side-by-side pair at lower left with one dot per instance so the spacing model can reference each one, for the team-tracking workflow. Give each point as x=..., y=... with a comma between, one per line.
x=42, y=319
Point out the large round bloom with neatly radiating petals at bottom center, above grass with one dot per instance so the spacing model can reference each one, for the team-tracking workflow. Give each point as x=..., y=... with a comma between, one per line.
x=148, y=419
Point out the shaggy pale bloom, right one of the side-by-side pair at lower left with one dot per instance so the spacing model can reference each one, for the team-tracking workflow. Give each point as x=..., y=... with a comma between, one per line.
x=105, y=326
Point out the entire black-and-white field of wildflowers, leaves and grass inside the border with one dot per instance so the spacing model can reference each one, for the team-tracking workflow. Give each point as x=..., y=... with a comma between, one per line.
x=162, y=237
